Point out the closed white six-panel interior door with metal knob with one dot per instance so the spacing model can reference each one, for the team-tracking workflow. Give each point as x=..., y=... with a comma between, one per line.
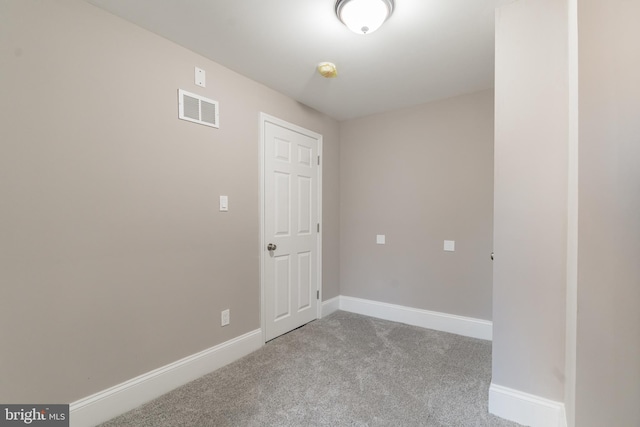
x=291, y=253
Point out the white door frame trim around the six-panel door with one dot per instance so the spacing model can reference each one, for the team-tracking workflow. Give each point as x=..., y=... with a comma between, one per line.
x=264, y=119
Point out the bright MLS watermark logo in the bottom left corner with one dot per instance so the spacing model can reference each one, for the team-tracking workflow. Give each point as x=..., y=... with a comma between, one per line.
x=34, y=415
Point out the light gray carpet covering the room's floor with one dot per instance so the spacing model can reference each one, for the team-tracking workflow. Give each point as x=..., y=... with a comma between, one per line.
x=343, y=370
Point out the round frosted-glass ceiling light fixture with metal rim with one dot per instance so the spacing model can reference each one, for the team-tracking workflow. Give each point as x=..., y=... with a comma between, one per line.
x=363, y=16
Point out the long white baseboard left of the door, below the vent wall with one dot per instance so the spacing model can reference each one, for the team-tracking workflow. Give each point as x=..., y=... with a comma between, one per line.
x=130, y=394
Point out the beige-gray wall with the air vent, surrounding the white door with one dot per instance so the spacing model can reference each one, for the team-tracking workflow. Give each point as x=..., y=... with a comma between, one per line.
x=114, y=259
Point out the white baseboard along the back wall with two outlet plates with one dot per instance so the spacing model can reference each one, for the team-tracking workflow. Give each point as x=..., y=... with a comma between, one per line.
x=466, y=326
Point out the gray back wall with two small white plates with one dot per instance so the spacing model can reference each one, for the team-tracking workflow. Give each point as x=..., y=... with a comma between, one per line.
x=419, y=176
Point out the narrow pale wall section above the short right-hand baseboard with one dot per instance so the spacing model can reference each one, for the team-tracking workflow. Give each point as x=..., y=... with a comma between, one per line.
x=530, y=213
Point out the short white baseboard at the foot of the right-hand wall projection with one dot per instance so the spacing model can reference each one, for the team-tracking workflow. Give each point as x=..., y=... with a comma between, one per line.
x=525, y=409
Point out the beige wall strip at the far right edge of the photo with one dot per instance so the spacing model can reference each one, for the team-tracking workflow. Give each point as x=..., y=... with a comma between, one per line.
x=608, y=339
